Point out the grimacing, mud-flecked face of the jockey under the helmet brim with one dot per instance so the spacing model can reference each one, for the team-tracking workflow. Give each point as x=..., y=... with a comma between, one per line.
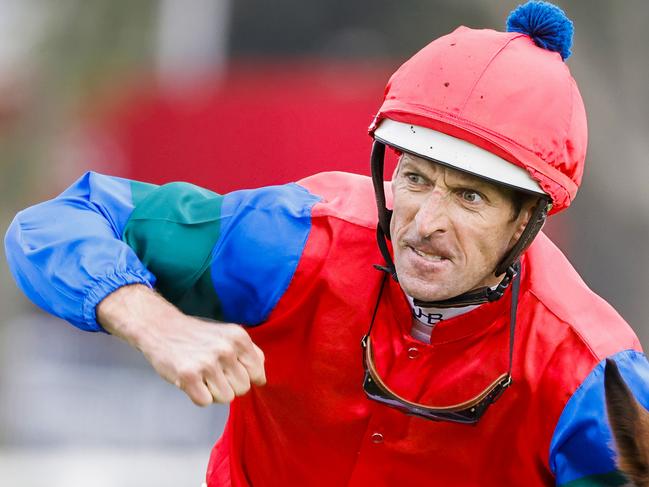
x=449, y=229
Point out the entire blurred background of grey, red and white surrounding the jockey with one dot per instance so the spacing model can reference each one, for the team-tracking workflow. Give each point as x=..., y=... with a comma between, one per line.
x=228, y=95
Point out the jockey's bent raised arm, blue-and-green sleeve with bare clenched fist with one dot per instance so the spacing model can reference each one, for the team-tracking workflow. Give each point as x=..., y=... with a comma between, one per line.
x=221, y=257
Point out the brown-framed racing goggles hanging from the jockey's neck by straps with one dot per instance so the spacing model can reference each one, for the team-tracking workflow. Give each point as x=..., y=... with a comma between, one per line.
x=467, y=412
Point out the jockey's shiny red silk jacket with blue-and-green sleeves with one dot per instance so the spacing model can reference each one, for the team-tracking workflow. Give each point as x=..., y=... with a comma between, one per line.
x=294, y=263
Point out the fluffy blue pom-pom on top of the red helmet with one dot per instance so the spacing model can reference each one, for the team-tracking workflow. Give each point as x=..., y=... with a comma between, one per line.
x=545, y=23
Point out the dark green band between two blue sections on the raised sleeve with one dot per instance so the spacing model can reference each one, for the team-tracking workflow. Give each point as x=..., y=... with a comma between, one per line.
x=173, y=230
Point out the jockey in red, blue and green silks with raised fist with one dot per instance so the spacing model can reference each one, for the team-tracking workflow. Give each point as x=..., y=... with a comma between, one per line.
x=462, y=350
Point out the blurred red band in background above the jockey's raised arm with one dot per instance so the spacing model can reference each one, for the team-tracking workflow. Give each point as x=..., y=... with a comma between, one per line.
x=257, y=124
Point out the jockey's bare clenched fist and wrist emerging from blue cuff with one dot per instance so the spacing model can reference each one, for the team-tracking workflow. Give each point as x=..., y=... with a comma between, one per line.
x=209, y=361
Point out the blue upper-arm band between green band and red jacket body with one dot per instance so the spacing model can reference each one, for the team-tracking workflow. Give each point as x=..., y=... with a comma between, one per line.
x=263, y=235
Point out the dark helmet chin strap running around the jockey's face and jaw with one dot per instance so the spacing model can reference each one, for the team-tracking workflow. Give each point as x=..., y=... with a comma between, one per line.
x=509, y=264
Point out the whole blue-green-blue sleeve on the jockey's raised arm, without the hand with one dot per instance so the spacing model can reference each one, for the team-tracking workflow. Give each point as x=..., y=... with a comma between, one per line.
x=225, y=257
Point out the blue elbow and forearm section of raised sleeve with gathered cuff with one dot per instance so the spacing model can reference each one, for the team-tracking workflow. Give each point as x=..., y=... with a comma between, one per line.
x=66, y=254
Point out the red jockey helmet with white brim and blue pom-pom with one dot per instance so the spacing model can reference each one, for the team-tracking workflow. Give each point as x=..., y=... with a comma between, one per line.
x=500, y=105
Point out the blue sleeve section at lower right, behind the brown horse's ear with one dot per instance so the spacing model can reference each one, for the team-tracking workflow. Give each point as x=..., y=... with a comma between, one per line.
x=581, y=451
